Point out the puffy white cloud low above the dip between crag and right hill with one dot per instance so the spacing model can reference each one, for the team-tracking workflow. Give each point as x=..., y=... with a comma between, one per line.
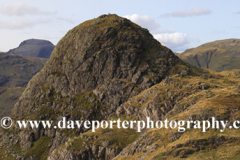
x=175, y=41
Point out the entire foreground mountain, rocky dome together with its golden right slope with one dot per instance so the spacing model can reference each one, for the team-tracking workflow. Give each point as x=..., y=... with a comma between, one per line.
x=109, y=68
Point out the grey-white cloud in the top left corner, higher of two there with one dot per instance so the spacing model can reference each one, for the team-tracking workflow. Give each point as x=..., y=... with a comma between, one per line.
x=19, y=9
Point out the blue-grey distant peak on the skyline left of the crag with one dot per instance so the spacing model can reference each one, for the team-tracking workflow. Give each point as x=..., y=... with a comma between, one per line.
x=34, y=48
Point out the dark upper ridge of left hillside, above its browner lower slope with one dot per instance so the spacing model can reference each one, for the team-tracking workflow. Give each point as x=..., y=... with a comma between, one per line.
x=16, y=71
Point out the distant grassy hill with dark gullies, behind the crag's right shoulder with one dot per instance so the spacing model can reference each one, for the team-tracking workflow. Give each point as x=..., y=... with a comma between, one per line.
x=221, y=55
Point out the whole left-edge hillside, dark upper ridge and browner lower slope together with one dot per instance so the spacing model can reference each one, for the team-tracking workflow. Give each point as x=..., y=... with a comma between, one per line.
x=15, y=72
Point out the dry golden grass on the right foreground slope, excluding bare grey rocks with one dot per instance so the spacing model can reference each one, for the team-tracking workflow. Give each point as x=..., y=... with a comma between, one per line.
x=221, y=99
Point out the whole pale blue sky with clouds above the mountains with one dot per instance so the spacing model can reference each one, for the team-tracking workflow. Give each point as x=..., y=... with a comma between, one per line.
x=178, y=24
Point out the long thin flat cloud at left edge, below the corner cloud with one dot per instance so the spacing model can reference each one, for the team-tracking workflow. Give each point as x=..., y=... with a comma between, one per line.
x=21, y=23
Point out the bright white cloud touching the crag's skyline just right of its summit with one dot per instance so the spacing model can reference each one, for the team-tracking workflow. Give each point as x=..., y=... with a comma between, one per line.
x=144, y=21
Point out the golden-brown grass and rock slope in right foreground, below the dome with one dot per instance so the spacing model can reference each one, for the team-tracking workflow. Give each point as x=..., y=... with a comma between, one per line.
x=187, y=98
